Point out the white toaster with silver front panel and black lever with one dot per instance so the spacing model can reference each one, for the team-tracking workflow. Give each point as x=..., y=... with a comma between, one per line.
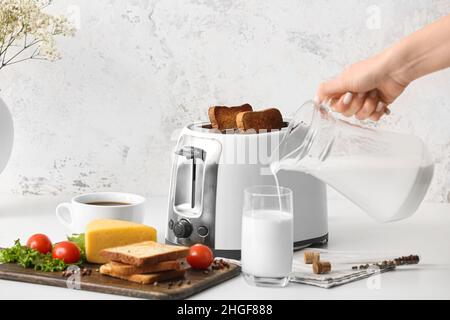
x=210, y=171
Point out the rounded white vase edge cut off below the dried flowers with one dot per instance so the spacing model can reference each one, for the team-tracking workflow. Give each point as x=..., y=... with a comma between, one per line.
x=6, y=134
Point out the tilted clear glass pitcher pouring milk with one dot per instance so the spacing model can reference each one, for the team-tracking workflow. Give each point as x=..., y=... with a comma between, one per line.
x=387, y=174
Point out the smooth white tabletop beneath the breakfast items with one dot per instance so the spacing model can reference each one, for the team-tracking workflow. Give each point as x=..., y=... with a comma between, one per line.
x=426, y=233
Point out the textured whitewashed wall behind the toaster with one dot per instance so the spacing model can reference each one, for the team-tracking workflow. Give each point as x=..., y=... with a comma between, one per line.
x=103, y=116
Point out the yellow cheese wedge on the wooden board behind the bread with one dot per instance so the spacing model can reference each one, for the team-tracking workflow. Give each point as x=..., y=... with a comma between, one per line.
x=104, y=234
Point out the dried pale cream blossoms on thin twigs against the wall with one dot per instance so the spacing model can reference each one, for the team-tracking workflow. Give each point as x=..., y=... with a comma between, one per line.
x=27, y=32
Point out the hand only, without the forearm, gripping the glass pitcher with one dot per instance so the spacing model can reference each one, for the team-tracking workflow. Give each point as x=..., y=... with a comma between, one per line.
x=363, y=90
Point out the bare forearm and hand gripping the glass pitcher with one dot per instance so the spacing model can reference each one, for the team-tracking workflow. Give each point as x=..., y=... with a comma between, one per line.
x=366, y=88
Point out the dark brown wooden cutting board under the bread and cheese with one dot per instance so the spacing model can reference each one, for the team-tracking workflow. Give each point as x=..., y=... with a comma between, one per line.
x=193, y=283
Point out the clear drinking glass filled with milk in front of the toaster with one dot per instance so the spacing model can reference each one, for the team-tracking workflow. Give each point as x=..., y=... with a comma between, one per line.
x=267, y=235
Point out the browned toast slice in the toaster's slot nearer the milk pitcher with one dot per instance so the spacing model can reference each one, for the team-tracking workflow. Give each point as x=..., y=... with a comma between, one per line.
x=268, y=119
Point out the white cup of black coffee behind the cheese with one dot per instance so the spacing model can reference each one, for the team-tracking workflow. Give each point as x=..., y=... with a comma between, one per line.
x=82, y=209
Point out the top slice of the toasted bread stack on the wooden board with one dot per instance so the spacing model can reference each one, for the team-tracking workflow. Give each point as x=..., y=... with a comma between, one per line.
x=145, y=253
